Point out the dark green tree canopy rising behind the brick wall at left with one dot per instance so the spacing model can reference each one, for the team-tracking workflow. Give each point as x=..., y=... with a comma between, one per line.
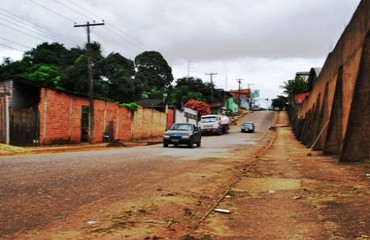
x=115, y=77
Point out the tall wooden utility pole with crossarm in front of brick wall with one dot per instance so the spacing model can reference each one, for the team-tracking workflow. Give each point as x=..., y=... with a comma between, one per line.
x=90, y=80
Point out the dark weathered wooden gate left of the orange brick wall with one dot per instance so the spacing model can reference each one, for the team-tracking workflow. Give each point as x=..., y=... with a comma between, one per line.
x=24, y=126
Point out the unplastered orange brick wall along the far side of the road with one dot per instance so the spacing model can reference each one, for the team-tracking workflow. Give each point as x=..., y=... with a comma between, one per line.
x=61, y=113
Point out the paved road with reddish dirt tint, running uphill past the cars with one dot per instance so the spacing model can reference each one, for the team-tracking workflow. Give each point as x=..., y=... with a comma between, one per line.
x=37, y=189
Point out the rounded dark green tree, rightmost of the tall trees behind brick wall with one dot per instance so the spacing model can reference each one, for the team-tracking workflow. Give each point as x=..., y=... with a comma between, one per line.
x=153, y=74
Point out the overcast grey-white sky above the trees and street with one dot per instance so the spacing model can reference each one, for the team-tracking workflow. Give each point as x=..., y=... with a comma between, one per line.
x=263, y=42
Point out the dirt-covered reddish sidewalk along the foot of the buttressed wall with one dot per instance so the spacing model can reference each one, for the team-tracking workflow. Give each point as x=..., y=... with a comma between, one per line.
x=287, y=194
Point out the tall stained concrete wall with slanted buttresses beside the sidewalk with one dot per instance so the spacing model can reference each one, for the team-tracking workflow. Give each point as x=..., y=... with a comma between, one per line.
x=339, y=103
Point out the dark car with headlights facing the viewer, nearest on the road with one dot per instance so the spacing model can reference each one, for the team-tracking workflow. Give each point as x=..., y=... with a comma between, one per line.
x=182, y=133
